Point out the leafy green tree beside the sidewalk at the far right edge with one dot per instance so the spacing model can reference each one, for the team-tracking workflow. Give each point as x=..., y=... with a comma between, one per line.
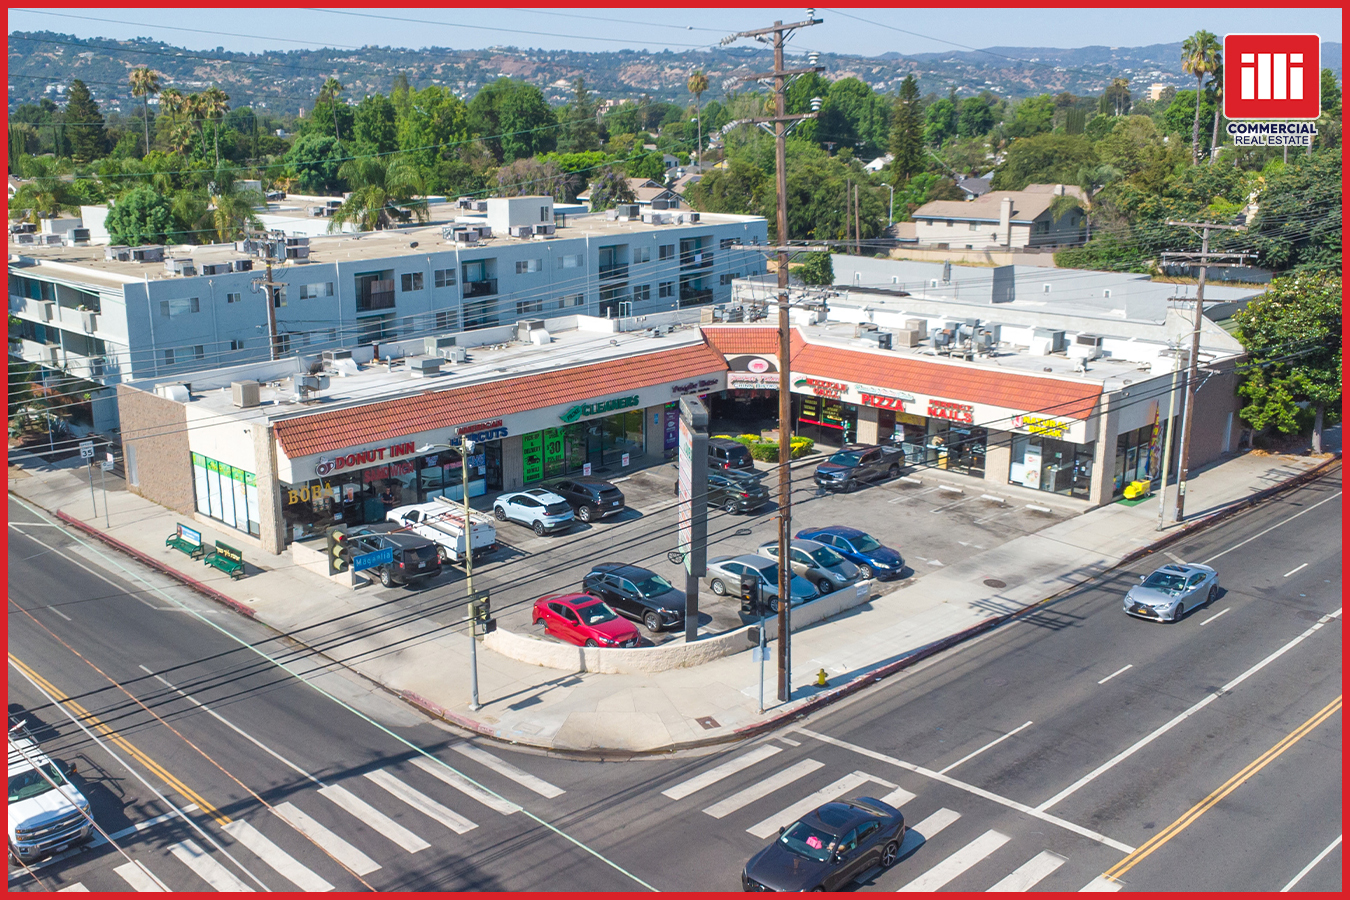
x=1293, y=337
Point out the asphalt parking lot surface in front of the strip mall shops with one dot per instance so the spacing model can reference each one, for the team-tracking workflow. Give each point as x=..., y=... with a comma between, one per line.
x=920, y=515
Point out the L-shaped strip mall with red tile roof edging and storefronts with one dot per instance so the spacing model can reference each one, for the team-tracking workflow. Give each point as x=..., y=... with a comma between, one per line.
x=279, y=451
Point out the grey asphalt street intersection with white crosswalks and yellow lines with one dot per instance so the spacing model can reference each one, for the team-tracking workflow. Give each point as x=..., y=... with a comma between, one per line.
x=1199, y=756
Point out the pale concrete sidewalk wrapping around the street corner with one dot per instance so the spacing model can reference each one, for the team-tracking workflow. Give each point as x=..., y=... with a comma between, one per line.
x=429, y=665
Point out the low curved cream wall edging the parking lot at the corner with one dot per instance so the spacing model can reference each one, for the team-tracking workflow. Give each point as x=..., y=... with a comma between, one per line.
x=527, y=648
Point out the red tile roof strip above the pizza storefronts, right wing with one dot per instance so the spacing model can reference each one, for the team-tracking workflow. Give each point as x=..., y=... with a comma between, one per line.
x=954, y=381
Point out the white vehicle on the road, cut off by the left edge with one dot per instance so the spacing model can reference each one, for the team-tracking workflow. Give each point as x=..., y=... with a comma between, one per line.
x=48, y=813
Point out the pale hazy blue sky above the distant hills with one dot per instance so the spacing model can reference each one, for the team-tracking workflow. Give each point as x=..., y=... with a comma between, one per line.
x=670, y=28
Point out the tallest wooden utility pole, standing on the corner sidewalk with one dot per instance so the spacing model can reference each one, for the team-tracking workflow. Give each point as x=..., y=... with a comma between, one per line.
x=785, y=399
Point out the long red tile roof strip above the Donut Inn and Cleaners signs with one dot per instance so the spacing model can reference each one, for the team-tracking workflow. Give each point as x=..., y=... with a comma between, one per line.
x=383, y=422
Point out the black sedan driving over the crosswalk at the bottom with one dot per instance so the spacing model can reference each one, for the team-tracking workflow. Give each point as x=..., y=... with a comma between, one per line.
x=828, y=848
